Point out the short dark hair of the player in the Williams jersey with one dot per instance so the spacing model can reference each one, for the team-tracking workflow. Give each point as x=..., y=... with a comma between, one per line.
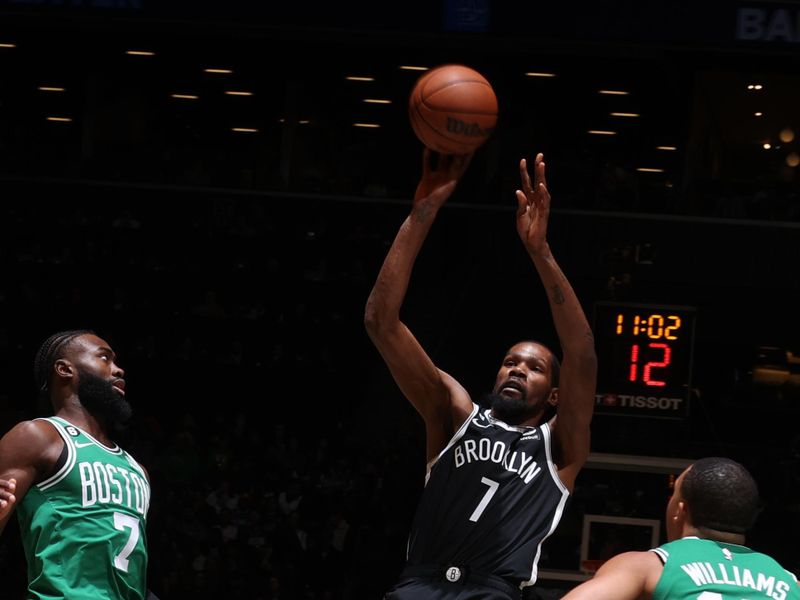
x=721, y=495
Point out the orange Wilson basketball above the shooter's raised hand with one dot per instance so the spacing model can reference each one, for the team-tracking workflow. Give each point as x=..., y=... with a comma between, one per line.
x=453, y=109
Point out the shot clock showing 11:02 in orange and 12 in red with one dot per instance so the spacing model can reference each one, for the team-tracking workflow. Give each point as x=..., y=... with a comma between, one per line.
x=644, y=354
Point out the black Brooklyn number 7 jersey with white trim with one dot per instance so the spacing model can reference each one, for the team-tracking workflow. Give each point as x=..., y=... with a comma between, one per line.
x=491, y=498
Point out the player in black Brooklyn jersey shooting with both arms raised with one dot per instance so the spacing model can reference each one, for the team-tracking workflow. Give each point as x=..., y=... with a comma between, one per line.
x=497, y=478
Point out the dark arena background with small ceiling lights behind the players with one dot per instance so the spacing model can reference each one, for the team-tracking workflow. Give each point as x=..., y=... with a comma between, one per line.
x=212, y=187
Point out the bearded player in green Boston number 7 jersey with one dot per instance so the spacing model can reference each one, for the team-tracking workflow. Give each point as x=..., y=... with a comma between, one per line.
x=80, y=499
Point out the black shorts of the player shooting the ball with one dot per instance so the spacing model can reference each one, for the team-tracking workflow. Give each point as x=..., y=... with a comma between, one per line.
x=434, y=584
